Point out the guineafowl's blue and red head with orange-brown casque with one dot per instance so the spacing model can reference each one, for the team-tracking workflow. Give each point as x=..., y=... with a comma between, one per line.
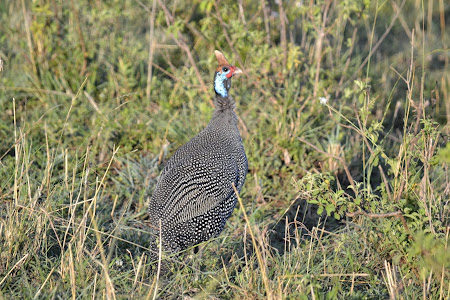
x=224, y=72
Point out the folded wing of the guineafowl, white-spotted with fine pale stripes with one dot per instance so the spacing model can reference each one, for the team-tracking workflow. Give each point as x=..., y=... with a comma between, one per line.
x=194, y=187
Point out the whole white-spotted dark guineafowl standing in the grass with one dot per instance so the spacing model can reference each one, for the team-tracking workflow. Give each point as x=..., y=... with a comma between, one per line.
x=194, y=196
